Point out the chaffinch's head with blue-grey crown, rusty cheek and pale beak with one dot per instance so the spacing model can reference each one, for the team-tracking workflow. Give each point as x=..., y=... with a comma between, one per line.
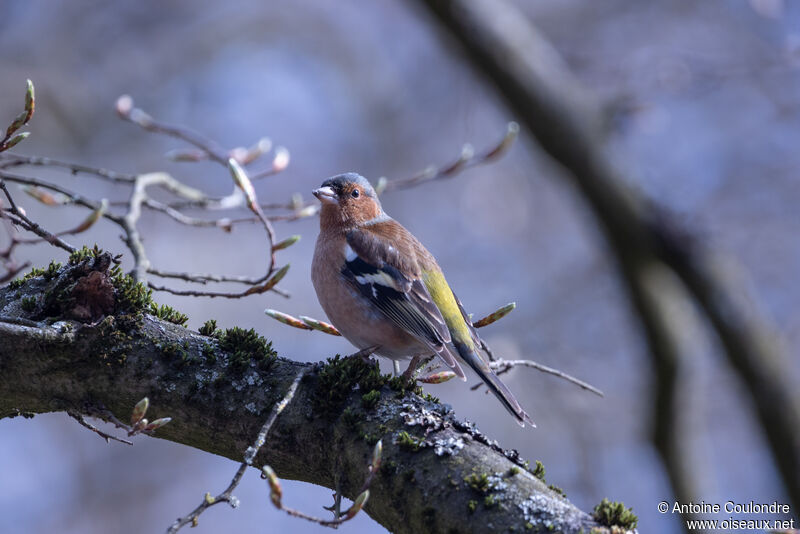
x=348, y=200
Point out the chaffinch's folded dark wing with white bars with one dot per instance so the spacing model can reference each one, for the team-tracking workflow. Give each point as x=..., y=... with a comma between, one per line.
x=392, y=282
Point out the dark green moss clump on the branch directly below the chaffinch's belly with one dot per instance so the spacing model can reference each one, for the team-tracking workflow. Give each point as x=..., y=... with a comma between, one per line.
x=337, y=378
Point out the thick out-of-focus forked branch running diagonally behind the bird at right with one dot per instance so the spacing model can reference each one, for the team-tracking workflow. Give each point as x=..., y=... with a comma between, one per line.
x=535, y=83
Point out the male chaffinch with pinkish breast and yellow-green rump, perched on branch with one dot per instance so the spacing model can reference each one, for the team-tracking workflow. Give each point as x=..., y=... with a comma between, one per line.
x=381, y=288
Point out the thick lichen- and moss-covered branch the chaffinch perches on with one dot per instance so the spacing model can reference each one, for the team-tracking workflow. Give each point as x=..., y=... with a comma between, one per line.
x=437, y=474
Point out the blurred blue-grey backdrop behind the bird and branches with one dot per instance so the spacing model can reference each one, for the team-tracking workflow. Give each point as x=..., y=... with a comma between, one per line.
x=711, y=99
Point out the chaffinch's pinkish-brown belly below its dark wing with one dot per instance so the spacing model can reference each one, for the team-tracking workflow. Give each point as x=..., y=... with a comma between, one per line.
x=363, y=325
